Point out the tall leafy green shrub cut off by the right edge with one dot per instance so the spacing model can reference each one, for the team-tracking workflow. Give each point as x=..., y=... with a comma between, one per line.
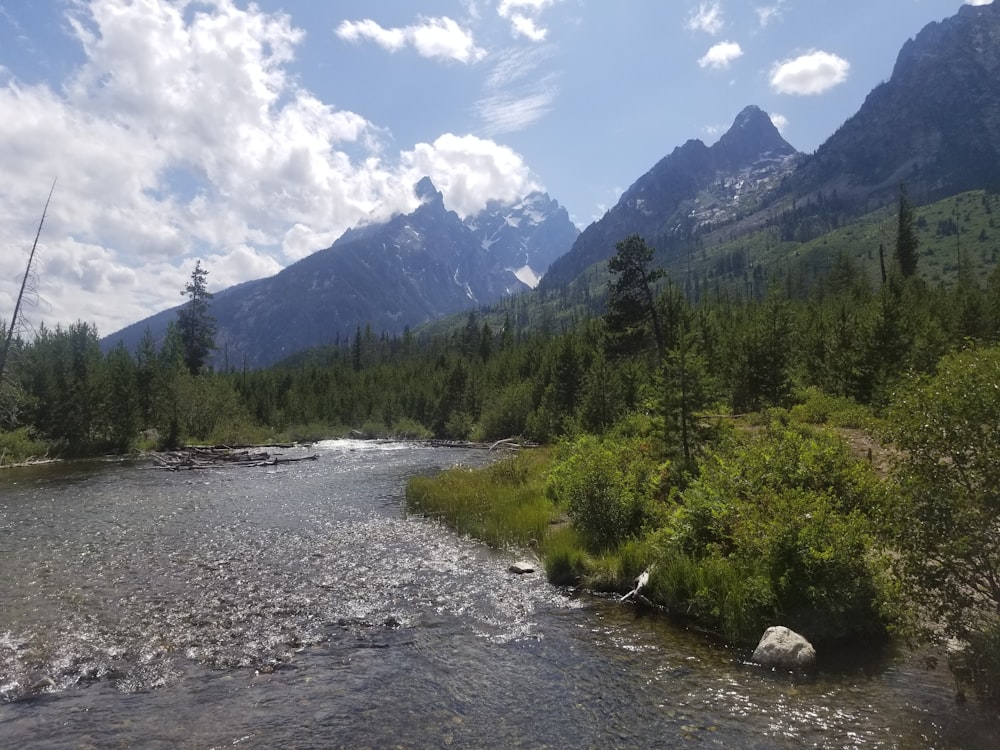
x=945, y=510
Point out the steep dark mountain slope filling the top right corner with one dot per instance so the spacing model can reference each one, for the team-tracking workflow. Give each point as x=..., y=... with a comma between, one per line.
x=935, y=124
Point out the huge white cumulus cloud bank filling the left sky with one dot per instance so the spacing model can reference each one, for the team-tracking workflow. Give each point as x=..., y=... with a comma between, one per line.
x=183, y=135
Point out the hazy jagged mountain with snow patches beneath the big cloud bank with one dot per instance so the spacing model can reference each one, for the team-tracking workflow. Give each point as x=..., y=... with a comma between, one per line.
x=398, y=274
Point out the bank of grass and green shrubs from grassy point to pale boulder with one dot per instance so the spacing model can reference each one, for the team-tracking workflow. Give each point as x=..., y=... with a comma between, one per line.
x=777, y=522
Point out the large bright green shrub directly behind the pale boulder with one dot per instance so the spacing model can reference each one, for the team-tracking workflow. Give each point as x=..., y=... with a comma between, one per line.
x=775, y=529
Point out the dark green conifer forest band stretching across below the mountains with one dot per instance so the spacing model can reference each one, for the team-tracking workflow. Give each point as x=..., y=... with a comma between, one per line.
x=725, y=353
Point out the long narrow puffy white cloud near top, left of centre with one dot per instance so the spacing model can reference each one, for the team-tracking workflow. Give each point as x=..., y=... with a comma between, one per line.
x=436, y=38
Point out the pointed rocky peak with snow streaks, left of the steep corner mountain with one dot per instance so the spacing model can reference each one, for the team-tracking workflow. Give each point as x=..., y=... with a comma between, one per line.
x=694, y=187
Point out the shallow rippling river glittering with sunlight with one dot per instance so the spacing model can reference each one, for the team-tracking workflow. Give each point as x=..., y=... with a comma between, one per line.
x=297, y=606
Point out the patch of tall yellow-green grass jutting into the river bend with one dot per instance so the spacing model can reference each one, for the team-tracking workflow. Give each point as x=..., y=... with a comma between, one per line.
x=503, y=504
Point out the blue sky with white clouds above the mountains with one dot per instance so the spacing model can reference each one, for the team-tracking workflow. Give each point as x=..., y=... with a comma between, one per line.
x=249, y=135
